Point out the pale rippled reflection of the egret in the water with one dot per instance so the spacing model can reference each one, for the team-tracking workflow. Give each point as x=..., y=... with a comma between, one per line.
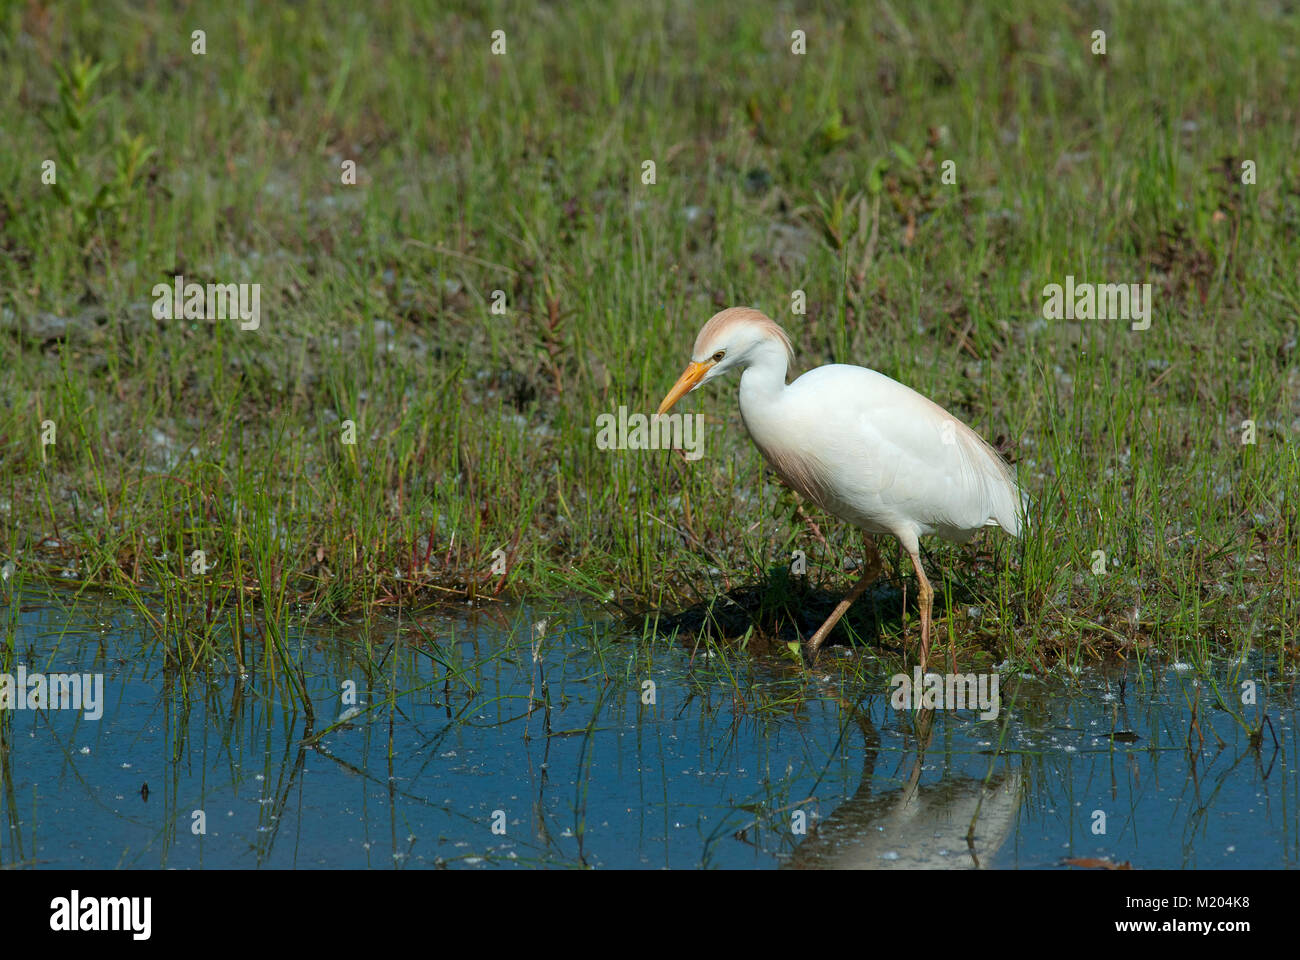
x=957, y=824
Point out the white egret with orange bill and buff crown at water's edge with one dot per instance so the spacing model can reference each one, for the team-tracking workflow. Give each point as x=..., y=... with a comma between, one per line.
x=860, y=446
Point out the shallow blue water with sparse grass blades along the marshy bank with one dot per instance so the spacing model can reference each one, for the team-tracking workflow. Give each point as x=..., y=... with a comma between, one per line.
x=720, y=764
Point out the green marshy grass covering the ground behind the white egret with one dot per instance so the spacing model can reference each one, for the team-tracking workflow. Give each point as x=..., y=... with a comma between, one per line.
x=475, y=431
